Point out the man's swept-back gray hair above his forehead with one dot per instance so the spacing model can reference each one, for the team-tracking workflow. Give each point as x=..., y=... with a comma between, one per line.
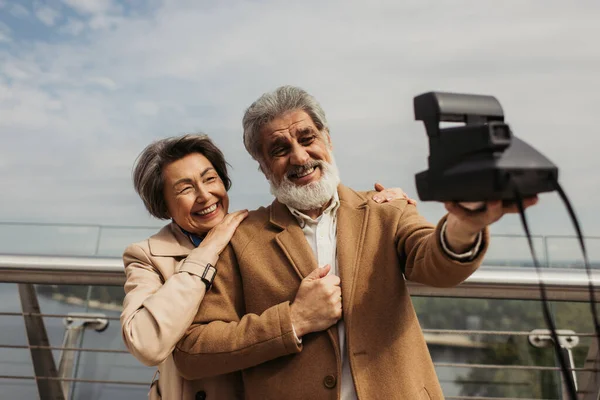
x=274, y=104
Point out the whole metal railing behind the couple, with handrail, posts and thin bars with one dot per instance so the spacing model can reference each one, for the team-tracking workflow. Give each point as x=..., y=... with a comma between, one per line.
x=489, y=282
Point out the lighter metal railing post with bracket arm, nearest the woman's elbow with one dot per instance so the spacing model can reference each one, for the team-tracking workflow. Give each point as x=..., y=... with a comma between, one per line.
x=75, y=325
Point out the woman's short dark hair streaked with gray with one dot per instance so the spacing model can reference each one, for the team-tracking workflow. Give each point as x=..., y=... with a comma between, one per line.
x=147, y=173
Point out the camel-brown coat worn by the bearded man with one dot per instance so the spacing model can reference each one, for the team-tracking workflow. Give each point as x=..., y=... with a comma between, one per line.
x=378, y=247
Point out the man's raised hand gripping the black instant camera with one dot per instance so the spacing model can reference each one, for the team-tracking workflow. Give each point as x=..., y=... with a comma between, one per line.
x=466, y=220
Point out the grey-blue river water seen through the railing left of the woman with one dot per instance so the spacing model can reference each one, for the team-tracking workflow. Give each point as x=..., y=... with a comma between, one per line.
x=92, y=365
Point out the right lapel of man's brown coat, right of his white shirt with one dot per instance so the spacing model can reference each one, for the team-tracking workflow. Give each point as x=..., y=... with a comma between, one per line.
x=351, y=224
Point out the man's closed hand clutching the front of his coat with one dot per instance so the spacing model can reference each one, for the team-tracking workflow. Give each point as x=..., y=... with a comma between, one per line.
x=318, y=303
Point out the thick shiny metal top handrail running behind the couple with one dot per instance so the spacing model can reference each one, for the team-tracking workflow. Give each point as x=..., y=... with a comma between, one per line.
x=497, y=282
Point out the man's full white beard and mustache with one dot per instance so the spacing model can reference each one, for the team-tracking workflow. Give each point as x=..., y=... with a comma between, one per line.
x=311, y=196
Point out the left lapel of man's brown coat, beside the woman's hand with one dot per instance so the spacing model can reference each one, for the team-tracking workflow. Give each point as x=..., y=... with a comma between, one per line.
x=291, y=240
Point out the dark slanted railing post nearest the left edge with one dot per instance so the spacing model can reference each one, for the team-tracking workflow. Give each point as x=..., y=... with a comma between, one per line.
x=43, y=361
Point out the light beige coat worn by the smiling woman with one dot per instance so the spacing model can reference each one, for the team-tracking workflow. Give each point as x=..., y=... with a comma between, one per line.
x=161, y=300
